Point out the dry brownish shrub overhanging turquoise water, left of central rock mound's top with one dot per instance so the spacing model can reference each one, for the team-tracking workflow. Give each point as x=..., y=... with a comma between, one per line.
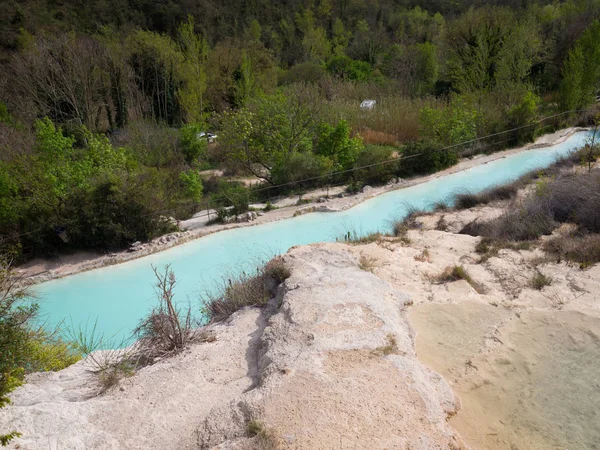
x=246, y=290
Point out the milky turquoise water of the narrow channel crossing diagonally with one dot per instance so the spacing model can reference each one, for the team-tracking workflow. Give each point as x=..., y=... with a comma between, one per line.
x=116, y=297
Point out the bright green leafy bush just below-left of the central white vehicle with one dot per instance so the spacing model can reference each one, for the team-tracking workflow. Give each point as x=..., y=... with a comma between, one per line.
x=336, y=144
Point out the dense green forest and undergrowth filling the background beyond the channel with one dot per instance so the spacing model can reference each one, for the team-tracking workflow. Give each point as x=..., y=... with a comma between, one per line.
x=104, y=104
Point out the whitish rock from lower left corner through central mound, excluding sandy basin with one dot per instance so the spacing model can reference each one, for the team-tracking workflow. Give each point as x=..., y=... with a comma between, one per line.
x=330, y=363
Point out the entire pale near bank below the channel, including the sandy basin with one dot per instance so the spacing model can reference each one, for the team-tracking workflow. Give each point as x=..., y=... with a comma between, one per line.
x=364, y=346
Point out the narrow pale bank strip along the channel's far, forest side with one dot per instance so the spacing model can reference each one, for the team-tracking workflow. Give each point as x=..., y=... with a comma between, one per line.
x=40, y=270
